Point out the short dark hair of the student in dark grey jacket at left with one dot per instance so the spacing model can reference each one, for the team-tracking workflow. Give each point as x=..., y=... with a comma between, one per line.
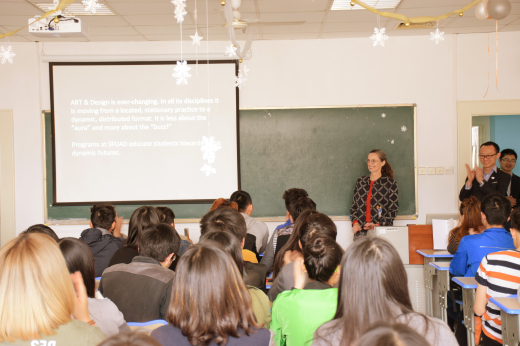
x=159, y=241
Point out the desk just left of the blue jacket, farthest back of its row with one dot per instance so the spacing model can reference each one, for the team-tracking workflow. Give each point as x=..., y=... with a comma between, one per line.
x=430, y=277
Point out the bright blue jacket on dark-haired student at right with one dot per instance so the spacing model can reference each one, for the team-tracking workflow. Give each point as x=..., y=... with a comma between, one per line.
x=473, y=248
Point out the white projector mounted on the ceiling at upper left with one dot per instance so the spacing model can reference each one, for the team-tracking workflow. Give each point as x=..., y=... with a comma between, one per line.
x=66, y=27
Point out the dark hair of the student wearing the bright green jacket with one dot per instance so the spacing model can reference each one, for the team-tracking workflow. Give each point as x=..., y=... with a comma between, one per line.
x=321, y=257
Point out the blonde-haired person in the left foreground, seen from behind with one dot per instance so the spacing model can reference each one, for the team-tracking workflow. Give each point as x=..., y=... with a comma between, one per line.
x=40, y=302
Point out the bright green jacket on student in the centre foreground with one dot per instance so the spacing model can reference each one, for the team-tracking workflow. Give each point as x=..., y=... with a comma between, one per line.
x=296, y=314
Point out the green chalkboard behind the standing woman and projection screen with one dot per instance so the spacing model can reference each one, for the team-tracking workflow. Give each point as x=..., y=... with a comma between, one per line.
x=322, y=150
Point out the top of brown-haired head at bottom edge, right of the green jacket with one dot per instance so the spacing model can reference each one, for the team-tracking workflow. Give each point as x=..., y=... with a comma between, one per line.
x=384, y=333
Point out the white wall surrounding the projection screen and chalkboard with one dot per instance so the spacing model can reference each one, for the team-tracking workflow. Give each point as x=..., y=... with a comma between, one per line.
x=295, y=73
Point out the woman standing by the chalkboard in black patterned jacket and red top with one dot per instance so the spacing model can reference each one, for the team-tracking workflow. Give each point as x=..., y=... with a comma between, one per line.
x=375, y=196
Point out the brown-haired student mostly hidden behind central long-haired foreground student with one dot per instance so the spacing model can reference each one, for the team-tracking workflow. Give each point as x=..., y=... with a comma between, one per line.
x=228, y=219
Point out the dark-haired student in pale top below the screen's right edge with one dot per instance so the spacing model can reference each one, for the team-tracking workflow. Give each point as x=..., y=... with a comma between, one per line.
x=254, y=227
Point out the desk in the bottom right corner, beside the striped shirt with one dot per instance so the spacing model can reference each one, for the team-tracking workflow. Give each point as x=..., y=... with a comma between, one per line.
x=509, y=311
